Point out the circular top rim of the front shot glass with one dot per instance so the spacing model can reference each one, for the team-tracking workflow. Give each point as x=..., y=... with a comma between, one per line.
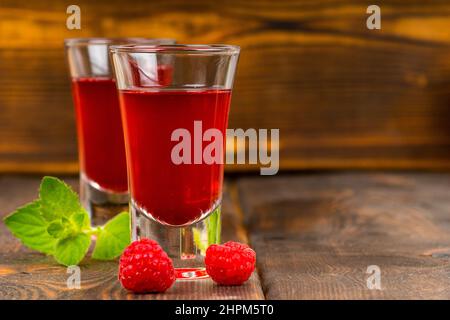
x=177, y=48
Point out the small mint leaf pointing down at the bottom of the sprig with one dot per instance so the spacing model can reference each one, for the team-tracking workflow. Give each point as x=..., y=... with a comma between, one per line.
x=71, y=250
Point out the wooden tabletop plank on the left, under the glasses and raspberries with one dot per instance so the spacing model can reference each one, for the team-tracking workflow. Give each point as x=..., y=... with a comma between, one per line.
x=29, y=275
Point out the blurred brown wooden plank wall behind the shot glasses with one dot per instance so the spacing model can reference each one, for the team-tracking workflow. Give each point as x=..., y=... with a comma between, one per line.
x=341, y=95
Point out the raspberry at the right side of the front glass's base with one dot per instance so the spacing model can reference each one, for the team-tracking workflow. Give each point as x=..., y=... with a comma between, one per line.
x=231, y=263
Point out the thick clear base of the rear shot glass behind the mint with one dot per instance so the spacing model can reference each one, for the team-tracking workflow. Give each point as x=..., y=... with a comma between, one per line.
x=101, y=204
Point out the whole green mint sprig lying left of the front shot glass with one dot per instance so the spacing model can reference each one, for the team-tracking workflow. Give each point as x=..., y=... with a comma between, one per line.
x=56, y=224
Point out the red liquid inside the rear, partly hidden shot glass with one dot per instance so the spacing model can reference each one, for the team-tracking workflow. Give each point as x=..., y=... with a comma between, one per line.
x=100, y=133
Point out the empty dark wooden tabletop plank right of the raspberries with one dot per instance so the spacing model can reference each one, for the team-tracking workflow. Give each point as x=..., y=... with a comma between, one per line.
x=315, y=235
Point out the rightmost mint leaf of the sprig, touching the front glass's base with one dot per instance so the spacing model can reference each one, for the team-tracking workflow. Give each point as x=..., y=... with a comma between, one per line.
x=113, y=238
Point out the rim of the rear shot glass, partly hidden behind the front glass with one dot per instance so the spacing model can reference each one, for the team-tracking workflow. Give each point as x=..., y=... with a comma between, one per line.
x=70, y=42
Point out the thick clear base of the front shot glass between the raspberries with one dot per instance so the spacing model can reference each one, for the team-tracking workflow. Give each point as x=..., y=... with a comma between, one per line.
x=185, y=245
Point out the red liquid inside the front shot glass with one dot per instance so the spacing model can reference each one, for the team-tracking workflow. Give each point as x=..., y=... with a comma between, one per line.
x=170, y=193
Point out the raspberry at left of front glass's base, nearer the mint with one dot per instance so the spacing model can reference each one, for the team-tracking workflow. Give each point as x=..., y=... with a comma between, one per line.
x=145, y=267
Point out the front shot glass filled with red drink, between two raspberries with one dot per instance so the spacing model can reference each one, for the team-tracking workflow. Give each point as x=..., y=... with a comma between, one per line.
x=175, y=101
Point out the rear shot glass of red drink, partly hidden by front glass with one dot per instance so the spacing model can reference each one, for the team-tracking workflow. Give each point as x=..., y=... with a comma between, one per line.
x=101, y=149
